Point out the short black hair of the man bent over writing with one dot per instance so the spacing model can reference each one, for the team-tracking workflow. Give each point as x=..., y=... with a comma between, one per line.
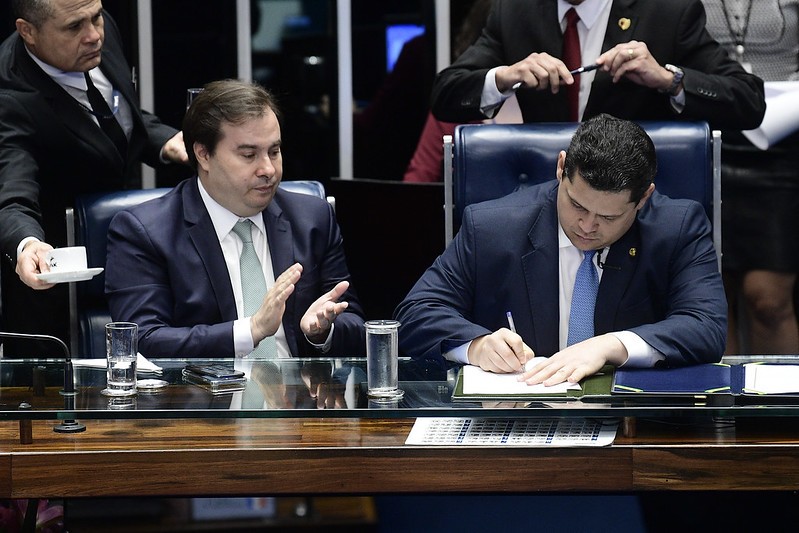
x=612, y=155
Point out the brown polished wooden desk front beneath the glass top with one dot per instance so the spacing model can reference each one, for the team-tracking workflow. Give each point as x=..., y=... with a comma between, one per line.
x=368, y=456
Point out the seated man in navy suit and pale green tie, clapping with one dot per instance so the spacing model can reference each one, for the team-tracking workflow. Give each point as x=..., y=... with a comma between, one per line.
x=176, y=265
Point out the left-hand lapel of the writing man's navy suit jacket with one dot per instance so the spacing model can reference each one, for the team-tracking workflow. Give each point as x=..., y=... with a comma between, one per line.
x=540, y=267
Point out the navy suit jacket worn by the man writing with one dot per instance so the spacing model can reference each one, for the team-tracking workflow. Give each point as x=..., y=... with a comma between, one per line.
x=660, y=281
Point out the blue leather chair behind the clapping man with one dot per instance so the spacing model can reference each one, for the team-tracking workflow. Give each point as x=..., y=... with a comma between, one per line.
x=87, y=225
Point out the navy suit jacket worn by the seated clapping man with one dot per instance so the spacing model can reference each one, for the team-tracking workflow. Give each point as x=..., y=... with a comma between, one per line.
x=166, y=272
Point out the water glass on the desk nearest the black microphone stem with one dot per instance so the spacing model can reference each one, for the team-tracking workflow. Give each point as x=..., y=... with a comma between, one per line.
x=121, y=342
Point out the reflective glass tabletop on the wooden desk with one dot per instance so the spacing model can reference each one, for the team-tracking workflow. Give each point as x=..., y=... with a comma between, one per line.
x=325, y=387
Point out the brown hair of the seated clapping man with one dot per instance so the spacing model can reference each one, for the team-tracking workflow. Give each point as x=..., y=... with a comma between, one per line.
x=223, y=101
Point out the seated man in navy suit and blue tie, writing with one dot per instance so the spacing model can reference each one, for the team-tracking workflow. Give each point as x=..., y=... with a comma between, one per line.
x=657, y=292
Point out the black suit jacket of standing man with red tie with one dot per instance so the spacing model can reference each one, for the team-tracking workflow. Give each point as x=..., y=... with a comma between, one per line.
x=717, y=89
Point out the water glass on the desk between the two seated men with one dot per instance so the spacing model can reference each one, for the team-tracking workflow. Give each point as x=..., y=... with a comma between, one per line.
x=382, y=355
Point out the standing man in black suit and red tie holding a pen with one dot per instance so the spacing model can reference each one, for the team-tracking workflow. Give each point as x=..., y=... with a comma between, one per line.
x=657, y=62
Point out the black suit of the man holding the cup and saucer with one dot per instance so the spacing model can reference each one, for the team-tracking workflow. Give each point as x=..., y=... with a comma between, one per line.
x=51, y=151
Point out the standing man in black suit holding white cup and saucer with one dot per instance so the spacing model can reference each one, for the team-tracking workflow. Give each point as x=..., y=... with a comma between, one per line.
x=54, y=143
